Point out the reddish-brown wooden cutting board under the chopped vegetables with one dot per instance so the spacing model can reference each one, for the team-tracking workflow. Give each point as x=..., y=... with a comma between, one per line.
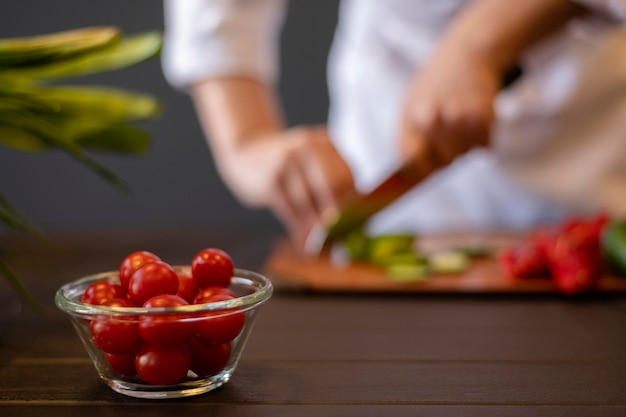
x=289, y=269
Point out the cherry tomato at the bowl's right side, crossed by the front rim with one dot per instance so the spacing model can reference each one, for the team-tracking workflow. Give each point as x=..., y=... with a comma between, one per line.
x=220, y=327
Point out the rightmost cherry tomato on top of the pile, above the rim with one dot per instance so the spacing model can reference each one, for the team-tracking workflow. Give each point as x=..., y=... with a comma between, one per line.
x=212, y=267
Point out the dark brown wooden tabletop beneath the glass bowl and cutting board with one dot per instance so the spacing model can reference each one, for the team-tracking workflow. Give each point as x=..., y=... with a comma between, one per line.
x=322, y=354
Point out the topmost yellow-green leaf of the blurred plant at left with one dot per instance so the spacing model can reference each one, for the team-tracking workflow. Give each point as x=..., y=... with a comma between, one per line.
x=130, y=51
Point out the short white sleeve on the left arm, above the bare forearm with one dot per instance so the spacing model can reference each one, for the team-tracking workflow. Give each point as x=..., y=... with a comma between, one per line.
x=209, y=38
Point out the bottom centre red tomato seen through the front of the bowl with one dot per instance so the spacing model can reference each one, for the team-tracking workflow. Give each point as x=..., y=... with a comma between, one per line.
x=163, y=365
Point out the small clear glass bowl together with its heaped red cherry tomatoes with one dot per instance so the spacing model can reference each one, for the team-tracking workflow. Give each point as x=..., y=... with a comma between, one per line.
x=157, y=331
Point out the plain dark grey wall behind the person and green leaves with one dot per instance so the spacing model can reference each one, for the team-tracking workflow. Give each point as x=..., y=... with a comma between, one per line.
x=175, y=186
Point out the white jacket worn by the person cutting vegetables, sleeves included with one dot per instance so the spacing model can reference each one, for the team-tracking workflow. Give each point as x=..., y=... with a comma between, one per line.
x=558, y=144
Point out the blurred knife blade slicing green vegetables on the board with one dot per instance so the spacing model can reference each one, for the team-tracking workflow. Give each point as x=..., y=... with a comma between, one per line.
x=360, y=209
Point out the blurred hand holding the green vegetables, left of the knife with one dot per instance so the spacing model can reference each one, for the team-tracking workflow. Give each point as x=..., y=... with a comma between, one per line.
x=297, y=174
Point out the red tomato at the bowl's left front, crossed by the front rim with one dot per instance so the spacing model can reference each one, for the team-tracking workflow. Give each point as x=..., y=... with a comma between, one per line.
x=116, y=335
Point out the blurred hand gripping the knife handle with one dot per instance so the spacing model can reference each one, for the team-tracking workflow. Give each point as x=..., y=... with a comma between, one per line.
x=448, y=110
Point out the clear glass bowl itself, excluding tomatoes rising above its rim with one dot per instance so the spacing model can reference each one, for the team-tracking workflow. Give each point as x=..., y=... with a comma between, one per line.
x=214, y=337
